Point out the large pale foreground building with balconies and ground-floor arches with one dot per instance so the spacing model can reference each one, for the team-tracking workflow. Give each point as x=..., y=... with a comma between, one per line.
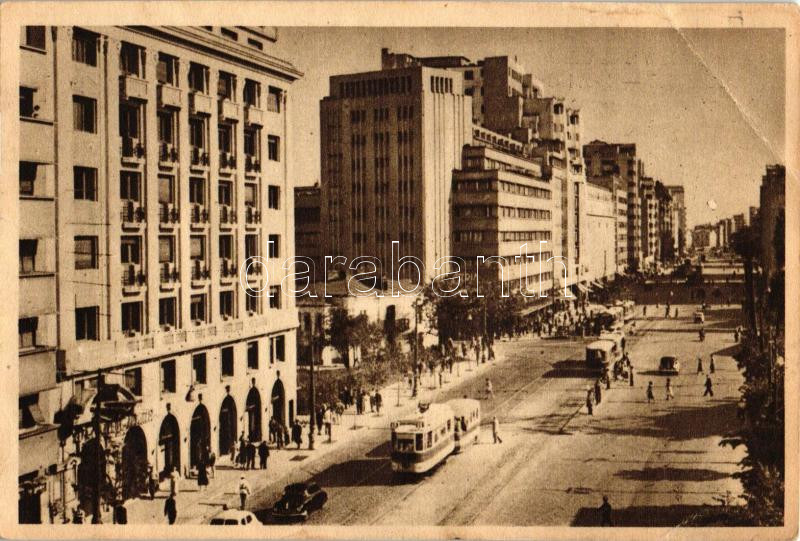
x=152, y=165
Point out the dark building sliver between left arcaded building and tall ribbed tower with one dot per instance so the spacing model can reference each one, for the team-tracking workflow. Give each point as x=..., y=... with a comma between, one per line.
x=307, y=227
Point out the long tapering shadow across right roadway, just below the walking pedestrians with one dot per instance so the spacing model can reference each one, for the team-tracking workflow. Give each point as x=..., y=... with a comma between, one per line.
x=679, y=424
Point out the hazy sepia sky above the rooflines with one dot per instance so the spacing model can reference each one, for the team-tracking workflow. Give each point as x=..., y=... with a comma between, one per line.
x=704, y=107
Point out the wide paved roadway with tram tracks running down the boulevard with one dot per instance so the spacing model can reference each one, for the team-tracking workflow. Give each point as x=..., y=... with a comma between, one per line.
x=656, y=462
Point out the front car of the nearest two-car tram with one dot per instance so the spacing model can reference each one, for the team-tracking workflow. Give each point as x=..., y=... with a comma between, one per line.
x=423, y=440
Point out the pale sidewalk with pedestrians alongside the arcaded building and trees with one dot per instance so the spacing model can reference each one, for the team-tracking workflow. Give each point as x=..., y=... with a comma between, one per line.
x=196, y=507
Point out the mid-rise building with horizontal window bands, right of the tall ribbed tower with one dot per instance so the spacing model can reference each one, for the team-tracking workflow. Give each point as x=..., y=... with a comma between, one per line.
x=503, y=206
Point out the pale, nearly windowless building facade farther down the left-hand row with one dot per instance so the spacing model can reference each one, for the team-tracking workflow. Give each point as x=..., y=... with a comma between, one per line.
x=601, y=229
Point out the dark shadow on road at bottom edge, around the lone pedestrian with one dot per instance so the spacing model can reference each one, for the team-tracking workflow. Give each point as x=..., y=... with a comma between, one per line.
x=652, y=516
